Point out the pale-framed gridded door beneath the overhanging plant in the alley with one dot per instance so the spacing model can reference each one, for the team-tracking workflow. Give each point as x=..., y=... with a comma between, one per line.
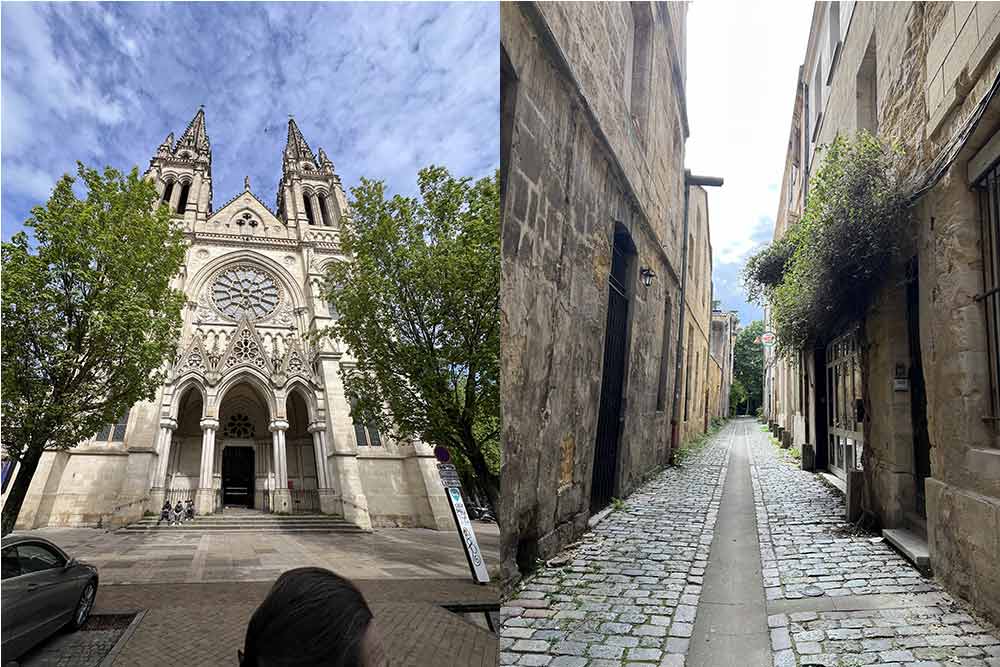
x=845, y=405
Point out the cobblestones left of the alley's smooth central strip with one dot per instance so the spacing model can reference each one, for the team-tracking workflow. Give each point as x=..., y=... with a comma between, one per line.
x=630, y=589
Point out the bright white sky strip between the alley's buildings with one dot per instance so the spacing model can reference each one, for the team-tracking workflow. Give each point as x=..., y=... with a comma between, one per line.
x=743, y=61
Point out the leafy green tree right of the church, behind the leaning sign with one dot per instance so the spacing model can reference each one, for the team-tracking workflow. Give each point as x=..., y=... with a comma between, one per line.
x=419, y=308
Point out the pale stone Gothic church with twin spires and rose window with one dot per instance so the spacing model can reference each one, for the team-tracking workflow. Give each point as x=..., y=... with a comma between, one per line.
x=251, y=413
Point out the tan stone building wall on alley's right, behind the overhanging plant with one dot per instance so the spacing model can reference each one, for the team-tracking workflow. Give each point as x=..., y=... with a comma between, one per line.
x=933, y=64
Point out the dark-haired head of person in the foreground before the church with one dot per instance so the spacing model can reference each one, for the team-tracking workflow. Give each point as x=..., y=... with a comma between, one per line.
x=312, y=617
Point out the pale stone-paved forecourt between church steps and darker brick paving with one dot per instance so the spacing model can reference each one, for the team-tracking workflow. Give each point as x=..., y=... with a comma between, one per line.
x=162, y=557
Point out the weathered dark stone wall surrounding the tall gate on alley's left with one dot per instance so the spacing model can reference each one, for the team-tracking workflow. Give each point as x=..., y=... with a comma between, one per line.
x=582, y=157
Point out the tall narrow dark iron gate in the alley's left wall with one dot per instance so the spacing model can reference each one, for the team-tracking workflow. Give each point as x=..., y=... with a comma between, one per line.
x=609, y=415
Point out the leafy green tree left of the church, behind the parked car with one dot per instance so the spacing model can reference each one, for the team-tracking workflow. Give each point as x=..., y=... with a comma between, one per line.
x=89, y=317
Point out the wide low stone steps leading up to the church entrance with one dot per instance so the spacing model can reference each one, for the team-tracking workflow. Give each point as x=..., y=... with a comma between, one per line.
x=240, y=519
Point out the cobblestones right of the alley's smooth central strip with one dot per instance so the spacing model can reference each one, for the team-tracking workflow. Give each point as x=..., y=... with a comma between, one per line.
x=871, y=606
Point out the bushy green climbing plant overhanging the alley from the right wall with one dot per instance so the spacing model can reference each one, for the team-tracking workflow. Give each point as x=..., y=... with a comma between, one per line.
x=825, y=270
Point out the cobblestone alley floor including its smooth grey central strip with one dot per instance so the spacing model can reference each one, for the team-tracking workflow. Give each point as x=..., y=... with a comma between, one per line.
x=684, y=575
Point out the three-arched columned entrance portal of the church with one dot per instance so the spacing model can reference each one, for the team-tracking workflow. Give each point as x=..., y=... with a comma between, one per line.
x=244, y=443
